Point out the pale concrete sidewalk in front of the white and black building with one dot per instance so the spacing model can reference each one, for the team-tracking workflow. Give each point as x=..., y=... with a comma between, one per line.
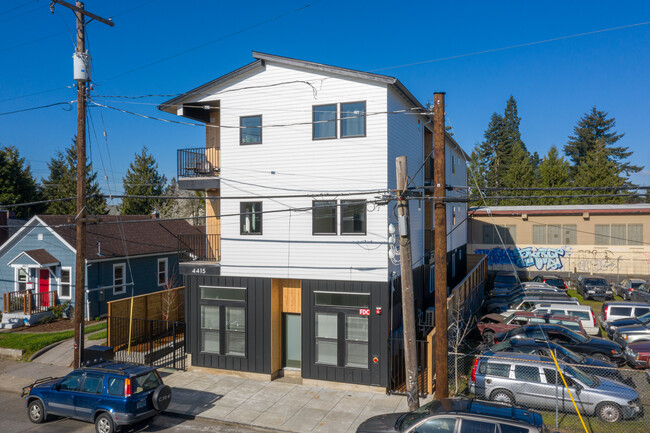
x=276, y=405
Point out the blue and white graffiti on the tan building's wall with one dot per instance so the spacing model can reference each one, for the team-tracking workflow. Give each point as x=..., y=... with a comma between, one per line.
x=549, y=259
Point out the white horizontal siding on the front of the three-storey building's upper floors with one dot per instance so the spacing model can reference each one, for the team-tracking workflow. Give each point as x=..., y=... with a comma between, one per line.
x=289, y=162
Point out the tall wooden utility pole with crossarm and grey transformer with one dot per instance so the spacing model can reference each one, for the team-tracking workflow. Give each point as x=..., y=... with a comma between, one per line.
x=80, y=268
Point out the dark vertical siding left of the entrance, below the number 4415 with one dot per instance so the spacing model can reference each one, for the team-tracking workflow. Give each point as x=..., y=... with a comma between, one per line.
x=258, y=320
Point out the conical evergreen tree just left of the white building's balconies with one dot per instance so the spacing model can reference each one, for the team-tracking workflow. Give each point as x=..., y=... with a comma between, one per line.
x=142, y=178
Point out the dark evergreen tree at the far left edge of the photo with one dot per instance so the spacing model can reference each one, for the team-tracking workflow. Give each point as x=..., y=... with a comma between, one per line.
x=17, y=185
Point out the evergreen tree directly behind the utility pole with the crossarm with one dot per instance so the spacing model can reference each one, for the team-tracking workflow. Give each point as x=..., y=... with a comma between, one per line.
x=62, y=183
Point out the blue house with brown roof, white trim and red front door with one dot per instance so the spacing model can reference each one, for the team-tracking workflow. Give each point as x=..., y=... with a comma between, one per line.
x=125, y=256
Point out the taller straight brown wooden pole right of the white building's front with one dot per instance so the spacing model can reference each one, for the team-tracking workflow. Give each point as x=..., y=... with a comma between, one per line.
x=440, y=260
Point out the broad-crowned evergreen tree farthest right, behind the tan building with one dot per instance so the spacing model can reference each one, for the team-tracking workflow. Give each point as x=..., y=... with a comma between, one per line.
x=596, y=131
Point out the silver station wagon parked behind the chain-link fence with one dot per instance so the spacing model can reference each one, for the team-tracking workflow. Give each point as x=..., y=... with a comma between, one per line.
x=533, y=380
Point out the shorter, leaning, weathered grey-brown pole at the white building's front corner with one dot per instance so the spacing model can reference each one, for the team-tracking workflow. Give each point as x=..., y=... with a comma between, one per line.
x=408, y=302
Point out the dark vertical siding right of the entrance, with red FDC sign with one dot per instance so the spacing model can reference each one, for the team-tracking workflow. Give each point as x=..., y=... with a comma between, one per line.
x=375, y=374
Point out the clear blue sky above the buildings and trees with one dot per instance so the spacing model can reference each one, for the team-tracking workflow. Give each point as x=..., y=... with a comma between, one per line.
x=554, y=83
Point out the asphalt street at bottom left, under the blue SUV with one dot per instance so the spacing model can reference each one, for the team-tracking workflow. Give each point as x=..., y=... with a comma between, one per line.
x=13, y=419
